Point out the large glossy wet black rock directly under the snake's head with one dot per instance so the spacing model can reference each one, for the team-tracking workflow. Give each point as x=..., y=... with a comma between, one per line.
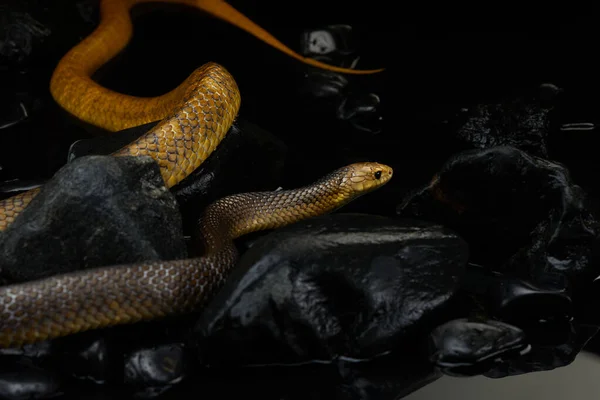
x=349, y=285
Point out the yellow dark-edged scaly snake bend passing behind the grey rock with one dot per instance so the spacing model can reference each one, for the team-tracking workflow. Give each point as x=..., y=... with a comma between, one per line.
x=180, y=142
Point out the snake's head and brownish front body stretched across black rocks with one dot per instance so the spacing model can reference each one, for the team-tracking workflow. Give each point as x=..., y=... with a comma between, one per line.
x=108, y=296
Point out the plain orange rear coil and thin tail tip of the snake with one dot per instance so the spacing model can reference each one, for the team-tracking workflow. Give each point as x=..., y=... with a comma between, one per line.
x=72, y=87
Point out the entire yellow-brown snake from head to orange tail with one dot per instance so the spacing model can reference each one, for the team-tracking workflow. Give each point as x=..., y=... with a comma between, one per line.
x=194, y=118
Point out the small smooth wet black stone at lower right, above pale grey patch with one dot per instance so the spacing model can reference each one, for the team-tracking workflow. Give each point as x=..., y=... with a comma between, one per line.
x=466, y=348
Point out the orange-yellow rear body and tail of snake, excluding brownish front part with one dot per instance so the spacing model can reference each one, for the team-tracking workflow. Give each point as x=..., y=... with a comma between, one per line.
x=72, y=87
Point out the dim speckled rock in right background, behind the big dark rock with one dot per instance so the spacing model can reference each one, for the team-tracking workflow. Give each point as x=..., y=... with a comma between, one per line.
x=522, y=122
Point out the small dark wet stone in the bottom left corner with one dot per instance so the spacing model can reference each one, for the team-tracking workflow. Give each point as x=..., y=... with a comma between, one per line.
x=21, y=380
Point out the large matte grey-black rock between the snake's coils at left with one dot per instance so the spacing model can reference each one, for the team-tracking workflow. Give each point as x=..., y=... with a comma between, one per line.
x=96, y=211
